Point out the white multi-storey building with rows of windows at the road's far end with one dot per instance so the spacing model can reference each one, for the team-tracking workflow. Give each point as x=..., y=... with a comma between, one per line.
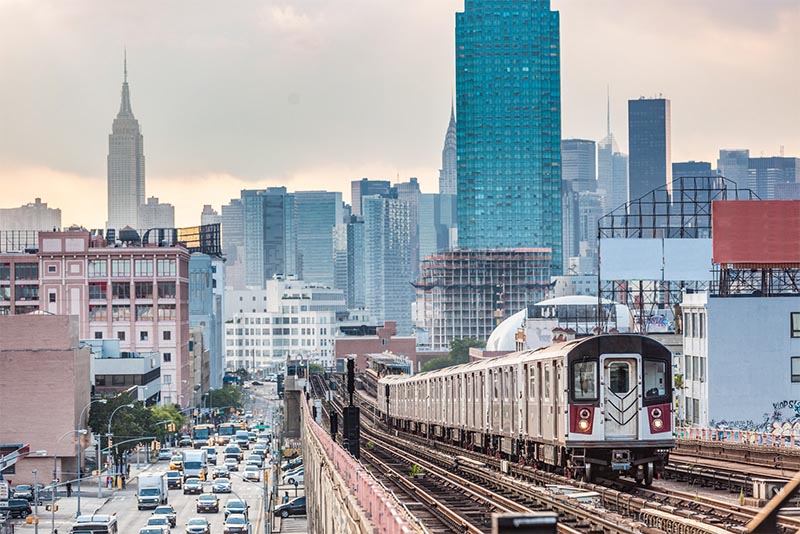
x=294, y=318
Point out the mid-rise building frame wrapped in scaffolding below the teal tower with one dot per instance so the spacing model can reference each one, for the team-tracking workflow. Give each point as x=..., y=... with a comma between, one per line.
x=467, y=293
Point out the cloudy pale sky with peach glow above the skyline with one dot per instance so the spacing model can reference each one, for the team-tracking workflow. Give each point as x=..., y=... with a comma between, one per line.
x=312, y=94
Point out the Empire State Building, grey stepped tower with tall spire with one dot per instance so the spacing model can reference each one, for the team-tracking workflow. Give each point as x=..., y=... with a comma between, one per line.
x=125, y=165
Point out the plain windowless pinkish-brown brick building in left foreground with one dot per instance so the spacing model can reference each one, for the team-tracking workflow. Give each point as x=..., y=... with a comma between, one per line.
x=44, y=386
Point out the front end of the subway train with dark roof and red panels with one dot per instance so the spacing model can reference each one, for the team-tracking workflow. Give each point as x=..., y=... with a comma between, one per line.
x=620, y=407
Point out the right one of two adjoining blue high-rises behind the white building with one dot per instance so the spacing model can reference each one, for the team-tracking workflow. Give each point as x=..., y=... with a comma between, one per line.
x=317, y=214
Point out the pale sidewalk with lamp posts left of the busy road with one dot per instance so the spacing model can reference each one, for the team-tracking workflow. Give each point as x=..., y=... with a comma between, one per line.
x=68, y=506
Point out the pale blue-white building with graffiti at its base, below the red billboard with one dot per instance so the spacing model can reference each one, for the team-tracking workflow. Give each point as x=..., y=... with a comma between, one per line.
x=741, y=363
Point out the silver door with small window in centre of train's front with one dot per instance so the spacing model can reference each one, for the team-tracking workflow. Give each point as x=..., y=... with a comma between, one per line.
x=620, y=395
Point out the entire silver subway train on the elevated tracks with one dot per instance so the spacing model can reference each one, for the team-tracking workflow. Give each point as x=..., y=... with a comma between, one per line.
x=594, y=406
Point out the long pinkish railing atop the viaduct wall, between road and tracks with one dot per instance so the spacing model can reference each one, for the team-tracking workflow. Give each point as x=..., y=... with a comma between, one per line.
x=386, y=514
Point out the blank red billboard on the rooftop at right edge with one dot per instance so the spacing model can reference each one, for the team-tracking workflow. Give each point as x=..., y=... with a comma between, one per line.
x=756, y=232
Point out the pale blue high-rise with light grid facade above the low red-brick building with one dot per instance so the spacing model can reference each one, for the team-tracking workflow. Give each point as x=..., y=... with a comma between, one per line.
x=387, y=259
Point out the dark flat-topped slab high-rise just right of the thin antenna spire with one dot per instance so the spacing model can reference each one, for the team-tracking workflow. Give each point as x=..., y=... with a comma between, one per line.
x=649, y=133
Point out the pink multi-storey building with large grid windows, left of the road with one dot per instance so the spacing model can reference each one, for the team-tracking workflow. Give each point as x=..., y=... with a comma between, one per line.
x=137, y=294
